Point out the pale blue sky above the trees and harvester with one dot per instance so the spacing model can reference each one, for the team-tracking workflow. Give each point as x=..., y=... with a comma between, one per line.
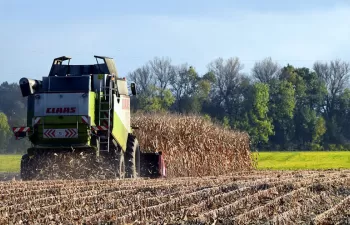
x=198, y=31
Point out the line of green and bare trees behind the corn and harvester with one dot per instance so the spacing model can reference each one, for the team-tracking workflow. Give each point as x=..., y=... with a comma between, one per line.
x=281, y=107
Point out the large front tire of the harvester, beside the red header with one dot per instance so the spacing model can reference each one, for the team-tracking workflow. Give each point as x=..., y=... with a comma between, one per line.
x=132, y=158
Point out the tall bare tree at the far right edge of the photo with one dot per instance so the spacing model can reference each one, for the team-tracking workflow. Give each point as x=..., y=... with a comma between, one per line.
x=335, y=75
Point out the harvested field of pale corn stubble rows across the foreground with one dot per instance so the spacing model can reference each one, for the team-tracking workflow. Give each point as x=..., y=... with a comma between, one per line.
x=256, y=197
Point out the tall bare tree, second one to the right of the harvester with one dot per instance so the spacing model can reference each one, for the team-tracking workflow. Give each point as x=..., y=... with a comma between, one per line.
x=163, y=72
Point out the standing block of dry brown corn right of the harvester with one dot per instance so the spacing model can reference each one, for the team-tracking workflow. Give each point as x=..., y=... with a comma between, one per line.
x=193, y=146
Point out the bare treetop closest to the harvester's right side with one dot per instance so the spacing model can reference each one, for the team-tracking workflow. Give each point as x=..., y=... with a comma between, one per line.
x=143, y=78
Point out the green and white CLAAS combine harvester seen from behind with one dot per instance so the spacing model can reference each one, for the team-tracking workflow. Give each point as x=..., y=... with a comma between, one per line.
x=78, y=123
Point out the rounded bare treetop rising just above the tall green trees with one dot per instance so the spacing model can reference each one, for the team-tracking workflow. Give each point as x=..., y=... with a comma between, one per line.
x=265, y=70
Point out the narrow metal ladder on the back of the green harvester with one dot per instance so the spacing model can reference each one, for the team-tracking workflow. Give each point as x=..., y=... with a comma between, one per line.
x=105, y=107
